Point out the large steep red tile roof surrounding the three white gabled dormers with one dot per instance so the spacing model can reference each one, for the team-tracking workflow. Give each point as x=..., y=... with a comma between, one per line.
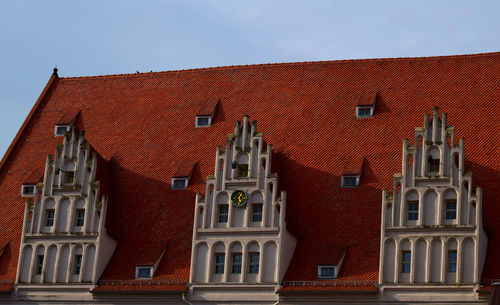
x=304, y=109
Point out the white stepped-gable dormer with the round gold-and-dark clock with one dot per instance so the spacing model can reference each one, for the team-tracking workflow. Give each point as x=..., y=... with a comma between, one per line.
x=240, y=253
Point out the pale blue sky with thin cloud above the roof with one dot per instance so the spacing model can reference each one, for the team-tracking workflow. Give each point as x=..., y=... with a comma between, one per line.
x=108, y=37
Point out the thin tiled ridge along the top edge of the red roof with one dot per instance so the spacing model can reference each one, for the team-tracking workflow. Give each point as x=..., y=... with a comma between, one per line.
x=360, y=60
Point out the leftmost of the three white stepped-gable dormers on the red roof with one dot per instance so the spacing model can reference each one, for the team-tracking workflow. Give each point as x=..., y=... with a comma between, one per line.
x=64, y=243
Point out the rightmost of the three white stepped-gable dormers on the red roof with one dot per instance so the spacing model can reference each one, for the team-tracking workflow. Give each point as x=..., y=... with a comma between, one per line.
x=432, y=238
